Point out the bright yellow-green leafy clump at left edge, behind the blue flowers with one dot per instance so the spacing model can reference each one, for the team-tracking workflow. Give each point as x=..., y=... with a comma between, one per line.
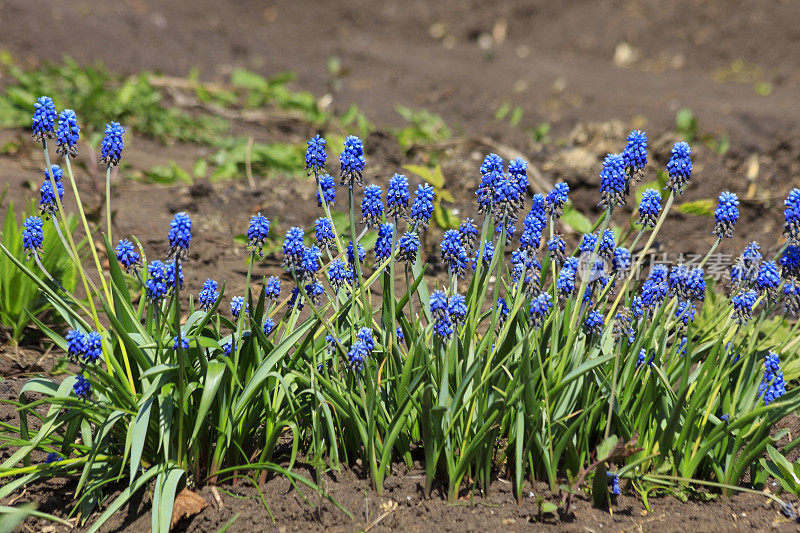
x=20, y=296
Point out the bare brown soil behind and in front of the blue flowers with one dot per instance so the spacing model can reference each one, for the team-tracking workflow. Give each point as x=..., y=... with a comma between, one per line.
x=555, y=60
